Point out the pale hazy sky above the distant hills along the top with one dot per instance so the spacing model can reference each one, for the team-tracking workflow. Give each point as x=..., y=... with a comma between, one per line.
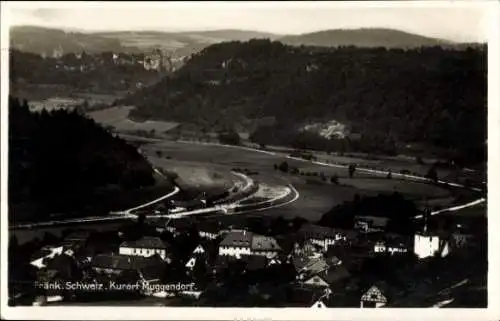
x=462, y=22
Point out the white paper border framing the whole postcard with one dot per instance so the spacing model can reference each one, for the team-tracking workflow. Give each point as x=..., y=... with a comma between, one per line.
x=154, y=313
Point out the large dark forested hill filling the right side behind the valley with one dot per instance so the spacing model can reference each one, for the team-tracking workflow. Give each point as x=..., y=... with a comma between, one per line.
x=392, y=97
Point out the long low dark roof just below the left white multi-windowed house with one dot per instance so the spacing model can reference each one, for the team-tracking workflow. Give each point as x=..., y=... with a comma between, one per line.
x=124, y=262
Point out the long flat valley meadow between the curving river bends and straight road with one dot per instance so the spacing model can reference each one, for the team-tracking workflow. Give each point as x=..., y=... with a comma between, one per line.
x=316, y=196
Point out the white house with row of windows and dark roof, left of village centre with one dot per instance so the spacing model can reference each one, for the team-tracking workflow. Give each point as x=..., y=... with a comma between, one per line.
x=146, y=247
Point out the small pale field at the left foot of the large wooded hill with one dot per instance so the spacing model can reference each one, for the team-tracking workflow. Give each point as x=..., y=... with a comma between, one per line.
x=117, y=117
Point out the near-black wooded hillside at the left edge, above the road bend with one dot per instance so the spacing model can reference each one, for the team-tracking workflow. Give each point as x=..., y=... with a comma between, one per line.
x=60, y=161
